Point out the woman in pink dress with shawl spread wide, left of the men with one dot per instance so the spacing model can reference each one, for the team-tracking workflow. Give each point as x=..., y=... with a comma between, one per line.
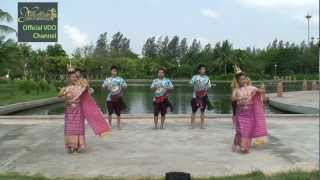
x=79, y=106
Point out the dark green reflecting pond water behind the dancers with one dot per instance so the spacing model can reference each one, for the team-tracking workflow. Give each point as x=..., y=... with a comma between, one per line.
x=138, y=98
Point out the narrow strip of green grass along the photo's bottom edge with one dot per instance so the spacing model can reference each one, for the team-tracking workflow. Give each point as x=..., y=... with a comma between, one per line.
x=292, y=175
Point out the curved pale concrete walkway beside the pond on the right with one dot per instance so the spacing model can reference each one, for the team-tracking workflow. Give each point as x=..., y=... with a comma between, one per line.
x=304, y=102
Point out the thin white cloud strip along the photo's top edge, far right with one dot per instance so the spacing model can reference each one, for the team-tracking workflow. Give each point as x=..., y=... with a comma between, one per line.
x=279, y=3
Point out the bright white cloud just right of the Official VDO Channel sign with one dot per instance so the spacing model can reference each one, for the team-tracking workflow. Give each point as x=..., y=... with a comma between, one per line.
x=77, y=37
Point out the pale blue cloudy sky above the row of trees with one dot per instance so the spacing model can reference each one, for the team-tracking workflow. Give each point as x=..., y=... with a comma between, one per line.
x=245, y=23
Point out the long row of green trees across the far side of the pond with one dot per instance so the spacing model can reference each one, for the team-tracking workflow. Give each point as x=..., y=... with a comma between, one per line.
x=179, y=59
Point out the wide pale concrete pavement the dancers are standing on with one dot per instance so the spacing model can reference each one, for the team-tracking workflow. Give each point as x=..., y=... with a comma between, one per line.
x=33, y=146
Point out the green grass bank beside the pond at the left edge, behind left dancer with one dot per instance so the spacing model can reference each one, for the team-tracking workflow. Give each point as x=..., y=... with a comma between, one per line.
x=10, y=94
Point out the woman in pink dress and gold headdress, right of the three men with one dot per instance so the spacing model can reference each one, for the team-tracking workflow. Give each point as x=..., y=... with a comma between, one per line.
x=249, y=119
